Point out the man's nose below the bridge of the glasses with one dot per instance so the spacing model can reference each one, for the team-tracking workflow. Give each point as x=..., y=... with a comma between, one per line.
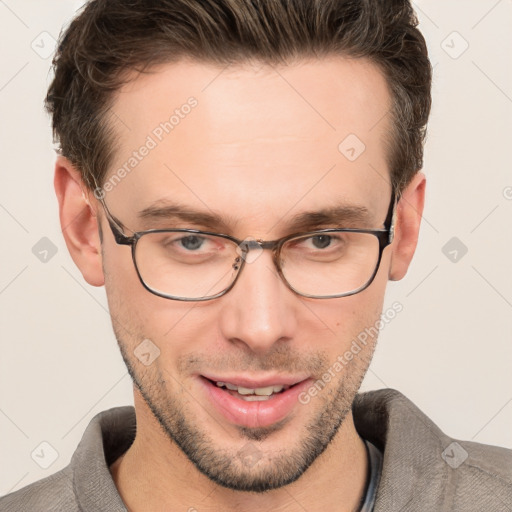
x=260, y=310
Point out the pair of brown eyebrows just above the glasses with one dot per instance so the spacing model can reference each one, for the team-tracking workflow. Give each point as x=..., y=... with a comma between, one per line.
x=356, y=216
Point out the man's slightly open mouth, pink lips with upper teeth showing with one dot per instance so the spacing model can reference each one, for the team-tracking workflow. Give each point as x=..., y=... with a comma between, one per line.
x=254, y=403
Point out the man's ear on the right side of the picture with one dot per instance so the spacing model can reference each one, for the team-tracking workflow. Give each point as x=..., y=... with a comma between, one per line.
x=407, y=226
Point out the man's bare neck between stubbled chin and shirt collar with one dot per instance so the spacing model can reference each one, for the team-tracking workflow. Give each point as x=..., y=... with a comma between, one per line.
x=154, y=474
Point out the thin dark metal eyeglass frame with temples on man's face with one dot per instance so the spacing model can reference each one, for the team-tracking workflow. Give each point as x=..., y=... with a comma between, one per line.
x=385, y=237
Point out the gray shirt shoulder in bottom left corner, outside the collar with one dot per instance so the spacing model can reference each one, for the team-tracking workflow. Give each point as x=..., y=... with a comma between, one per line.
x=52, y=493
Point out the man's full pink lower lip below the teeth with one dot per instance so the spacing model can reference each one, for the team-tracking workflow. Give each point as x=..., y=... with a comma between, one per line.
x=257, y=413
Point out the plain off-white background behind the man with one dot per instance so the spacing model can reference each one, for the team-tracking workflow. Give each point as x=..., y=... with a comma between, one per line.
x=449, y=350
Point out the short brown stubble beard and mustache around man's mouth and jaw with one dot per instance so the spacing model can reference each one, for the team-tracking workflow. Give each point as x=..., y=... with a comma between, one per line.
x=250, y=468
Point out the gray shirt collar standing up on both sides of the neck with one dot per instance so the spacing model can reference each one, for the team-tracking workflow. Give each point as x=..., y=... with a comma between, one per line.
x=410, y=442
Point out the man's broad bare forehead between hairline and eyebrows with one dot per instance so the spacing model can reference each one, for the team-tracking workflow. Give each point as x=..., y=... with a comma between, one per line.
x=256, y=141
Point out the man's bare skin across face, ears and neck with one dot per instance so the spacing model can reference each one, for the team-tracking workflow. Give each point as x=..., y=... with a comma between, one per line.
x=260, y=146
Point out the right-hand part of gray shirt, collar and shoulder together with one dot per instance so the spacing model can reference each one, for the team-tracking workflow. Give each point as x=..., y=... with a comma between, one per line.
x=424, y=468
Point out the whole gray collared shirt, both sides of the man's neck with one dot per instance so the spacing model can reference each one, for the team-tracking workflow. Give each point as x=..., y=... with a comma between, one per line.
x=423, y=470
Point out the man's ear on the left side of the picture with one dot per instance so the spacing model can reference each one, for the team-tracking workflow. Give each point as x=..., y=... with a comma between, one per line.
x=78, y=222
